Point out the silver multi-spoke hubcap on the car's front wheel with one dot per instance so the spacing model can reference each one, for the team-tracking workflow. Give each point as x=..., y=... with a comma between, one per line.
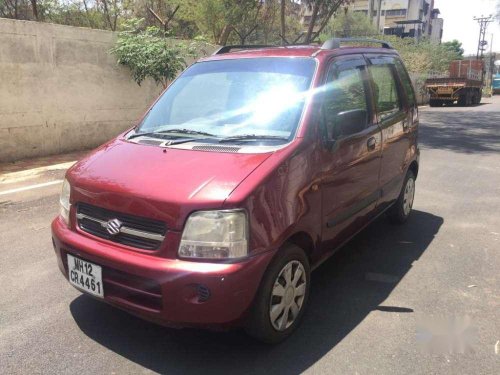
x=287, y=296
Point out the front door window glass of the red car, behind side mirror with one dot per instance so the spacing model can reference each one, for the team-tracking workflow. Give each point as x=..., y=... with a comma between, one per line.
x=345, y=109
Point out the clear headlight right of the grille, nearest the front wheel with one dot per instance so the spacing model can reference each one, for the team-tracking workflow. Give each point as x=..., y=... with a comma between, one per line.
x=215, y=235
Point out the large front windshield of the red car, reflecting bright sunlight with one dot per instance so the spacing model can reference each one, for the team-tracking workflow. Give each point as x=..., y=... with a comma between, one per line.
x=235, y=98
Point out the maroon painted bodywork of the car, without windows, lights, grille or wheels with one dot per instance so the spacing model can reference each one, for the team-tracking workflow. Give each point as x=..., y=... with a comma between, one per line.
x=292, y=194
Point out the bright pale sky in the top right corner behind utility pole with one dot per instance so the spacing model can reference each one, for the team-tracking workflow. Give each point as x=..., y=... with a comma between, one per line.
x=458, y=22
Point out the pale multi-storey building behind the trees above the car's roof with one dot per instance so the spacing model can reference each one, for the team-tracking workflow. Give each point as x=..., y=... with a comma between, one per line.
x=404, y=18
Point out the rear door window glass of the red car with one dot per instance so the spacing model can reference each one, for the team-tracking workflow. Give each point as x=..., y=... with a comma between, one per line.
x=385, y=90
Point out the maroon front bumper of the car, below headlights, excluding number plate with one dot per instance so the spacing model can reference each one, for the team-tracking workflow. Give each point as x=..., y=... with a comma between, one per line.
x=171, y=292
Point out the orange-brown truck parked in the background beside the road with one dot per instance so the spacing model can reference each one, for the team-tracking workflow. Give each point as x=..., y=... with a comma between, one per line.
x=463, y=84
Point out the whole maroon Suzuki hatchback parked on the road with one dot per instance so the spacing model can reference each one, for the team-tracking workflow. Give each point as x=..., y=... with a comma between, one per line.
x=252, y=168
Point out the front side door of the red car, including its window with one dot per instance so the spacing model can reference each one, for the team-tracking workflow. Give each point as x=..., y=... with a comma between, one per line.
x=351, y=153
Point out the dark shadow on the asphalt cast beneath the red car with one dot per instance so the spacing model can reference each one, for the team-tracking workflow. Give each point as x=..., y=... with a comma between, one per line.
x=343, y=293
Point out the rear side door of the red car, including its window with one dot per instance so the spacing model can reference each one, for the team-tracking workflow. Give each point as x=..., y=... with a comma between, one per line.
x=394, y=119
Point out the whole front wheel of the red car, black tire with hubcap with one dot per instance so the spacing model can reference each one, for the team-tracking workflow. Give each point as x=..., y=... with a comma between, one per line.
x=260, y=324
